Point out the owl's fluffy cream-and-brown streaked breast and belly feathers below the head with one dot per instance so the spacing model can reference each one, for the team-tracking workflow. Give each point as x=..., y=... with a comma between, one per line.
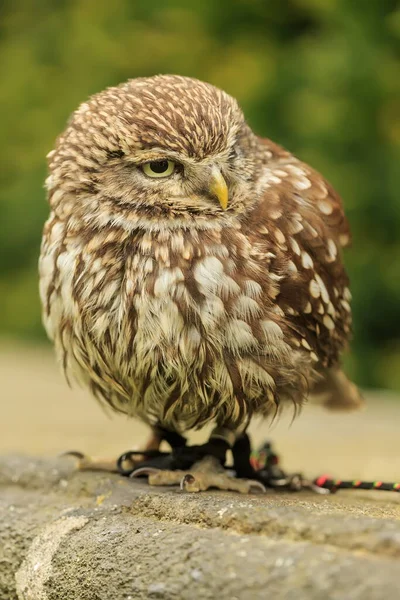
x=160, y=318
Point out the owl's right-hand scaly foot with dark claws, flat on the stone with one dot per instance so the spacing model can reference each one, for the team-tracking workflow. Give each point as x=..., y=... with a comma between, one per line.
x=203, y=475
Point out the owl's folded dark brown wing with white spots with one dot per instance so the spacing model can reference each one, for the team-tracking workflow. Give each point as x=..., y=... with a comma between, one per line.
x=300, y=227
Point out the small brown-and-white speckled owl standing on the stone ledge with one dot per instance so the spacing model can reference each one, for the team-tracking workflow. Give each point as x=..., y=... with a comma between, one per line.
x=191, y=272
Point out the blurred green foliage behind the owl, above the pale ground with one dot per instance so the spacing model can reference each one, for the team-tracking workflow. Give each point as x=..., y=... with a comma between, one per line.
x=321, y=77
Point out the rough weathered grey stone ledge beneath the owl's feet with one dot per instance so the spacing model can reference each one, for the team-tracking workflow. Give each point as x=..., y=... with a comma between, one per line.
x=89, y=536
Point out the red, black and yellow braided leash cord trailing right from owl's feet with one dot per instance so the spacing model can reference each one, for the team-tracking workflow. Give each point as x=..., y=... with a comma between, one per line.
x=266, y=463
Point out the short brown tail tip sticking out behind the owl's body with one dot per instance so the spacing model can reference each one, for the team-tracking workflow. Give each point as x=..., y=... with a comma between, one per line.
x=336, y=392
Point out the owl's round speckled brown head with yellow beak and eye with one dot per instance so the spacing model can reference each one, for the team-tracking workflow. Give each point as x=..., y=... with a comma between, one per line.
x=165, y=146
